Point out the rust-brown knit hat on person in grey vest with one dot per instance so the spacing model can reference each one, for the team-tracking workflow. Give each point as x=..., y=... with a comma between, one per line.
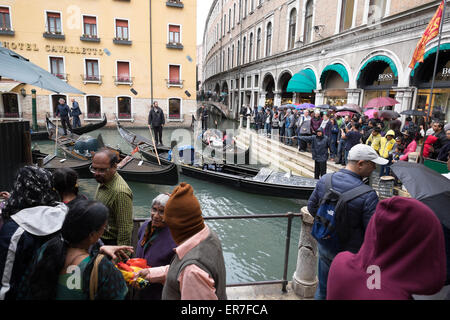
x=183, y=214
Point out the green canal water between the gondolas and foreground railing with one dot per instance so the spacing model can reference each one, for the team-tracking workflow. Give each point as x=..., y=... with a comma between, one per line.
x=254, y=249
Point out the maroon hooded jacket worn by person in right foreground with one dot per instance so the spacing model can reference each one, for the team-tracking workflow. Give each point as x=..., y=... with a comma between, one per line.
x=403, y=254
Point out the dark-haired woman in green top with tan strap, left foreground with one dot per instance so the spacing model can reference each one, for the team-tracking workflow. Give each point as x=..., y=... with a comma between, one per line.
x=63, y=268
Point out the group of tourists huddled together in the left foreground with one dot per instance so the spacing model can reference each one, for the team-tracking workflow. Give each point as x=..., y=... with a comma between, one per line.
x=49, y=230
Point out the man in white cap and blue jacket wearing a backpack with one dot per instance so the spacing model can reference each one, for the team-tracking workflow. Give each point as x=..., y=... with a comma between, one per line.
x=362, y=161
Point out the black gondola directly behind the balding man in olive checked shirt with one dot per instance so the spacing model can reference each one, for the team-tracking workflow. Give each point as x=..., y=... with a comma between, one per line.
x=131, y=169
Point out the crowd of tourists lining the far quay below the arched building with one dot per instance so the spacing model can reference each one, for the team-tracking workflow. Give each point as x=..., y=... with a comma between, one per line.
x=330, y=136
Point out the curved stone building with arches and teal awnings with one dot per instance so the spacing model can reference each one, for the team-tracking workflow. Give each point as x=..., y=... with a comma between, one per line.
x=271, y=52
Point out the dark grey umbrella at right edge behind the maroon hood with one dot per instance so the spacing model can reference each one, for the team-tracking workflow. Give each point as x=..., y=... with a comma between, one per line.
x=427, y=186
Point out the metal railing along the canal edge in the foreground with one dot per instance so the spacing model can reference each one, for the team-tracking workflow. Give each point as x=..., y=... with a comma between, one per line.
x=290, y=216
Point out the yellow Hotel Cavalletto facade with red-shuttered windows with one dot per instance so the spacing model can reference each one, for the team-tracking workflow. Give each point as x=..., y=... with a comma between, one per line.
x=122, y=54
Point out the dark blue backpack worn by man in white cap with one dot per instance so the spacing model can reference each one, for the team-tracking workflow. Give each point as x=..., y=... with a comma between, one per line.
x=331, y=226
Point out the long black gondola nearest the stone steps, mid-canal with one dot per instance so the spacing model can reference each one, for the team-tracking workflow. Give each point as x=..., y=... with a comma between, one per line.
x=244, y=178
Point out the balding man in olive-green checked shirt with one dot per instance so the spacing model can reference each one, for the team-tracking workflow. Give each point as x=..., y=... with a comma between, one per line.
x=115, y=194
